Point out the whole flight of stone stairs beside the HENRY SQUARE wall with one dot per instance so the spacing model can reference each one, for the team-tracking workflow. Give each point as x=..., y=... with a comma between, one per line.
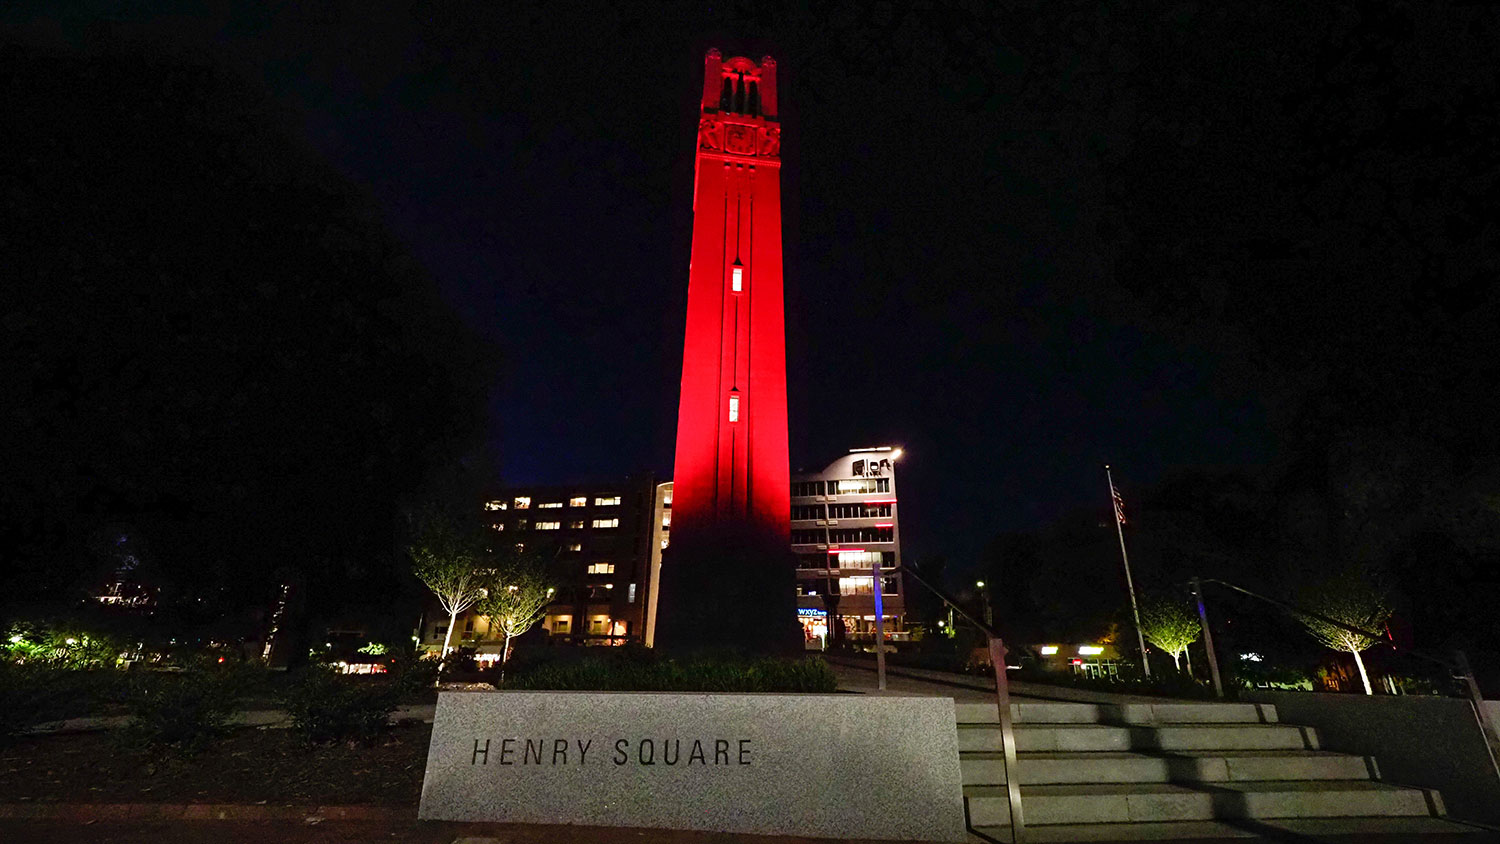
x=1160, y=771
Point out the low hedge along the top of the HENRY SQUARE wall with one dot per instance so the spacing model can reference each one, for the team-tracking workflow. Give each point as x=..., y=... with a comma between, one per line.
x=602, y=674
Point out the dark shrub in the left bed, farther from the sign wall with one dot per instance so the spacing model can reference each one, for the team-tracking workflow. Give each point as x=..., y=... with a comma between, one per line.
x=185, y=711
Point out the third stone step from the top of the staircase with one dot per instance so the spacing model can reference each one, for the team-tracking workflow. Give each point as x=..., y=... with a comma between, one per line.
x=988, y=768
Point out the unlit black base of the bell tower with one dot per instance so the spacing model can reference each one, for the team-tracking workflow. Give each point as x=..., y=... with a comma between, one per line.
x=728, y=590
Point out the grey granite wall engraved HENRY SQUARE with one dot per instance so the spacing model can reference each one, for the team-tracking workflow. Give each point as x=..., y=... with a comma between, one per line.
x=824, y=765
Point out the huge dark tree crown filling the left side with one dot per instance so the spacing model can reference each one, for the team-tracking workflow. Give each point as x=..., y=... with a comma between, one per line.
x=211, y=344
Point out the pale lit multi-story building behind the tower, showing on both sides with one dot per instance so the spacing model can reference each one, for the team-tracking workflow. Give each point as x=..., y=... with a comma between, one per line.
x=845, y=521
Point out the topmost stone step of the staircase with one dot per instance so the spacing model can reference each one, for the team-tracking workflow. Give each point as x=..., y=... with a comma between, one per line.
x=970, y=713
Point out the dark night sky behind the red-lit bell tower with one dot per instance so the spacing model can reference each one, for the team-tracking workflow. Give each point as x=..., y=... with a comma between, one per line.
x=944, y=290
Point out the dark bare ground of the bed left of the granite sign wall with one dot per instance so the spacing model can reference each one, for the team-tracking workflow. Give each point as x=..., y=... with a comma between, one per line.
x=251, y=767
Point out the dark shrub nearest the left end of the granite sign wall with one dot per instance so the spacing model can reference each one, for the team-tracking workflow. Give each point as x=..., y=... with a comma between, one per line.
x=326, y=707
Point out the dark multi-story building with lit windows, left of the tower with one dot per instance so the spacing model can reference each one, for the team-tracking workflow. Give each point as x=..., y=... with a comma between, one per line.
x=599, y=539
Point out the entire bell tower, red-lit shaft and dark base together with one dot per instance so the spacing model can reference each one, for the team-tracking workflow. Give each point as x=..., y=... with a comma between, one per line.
x=728, y=578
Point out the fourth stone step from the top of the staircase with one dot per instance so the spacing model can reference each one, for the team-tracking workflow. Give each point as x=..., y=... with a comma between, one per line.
x=1154, y=803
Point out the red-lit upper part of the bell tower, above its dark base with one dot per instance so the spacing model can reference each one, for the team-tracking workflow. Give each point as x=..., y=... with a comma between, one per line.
x=731, y=426
